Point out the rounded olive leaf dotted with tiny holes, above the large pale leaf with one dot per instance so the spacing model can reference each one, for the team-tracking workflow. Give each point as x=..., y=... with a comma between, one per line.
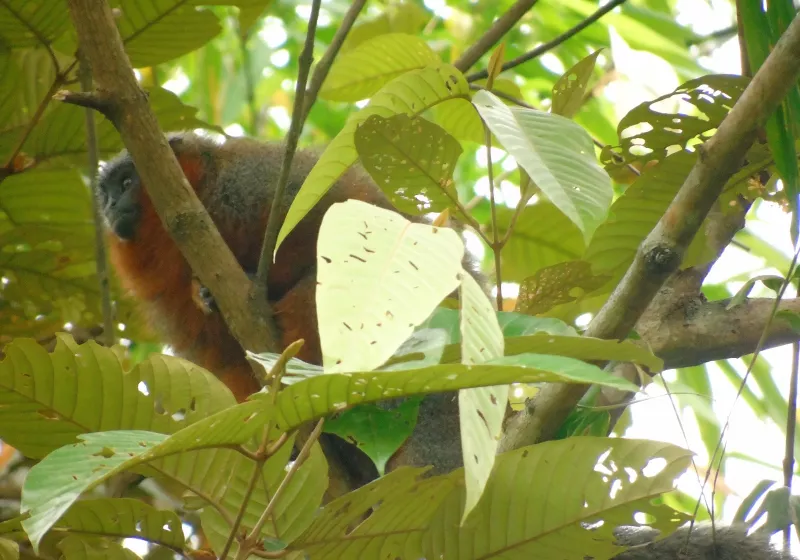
x=411, y=159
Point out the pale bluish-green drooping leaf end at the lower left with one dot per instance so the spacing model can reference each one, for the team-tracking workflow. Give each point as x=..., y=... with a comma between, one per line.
x=58, y=480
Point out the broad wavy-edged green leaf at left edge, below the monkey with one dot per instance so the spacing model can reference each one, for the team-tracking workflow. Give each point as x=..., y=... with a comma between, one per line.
x=52, y=398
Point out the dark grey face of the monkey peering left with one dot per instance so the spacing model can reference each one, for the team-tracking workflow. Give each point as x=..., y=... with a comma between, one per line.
x=119, y=190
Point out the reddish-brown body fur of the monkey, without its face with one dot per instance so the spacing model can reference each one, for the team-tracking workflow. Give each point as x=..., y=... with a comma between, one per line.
x=153, y=269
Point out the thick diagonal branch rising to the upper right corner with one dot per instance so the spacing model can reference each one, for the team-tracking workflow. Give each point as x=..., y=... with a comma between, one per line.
x=662, y=251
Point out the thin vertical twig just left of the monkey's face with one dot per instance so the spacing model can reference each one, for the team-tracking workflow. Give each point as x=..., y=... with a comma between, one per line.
x=99, y=242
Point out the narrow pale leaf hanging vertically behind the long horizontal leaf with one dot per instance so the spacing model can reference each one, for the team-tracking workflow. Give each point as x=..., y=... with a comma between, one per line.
x=480, y=410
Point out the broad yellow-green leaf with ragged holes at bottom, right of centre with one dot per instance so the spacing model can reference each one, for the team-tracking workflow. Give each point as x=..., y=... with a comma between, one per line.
x=540, y=498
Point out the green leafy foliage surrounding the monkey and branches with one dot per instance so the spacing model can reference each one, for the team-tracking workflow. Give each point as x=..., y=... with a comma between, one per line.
x=558, y=205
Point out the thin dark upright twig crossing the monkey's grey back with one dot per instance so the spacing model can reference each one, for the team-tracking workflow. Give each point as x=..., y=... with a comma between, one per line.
x=295, y=128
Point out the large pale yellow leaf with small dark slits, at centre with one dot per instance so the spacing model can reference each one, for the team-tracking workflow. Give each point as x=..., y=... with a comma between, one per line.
x=378, y=276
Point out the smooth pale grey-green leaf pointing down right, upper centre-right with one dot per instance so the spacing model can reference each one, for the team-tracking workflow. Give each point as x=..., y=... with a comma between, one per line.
x=557, y=154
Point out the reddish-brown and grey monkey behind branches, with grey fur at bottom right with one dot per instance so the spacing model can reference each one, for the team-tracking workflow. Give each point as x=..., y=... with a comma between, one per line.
x=236, y=181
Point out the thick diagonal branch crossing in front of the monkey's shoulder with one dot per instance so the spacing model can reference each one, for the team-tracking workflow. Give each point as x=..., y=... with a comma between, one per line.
x=183, y=215
